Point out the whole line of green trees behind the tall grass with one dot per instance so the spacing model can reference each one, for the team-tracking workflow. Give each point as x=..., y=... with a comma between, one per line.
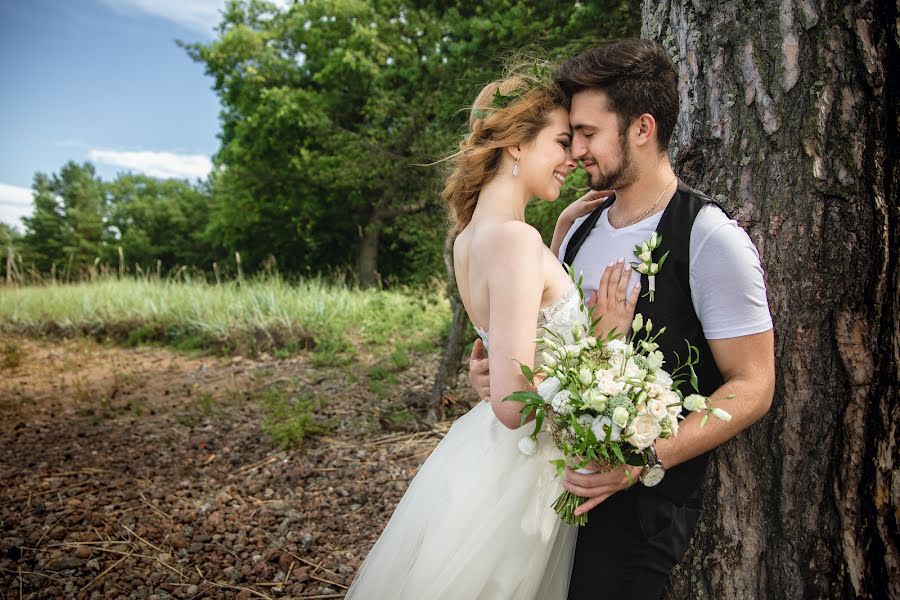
x=328, y=112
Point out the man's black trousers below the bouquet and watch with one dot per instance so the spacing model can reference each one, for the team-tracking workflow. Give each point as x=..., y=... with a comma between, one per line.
x=631, y=543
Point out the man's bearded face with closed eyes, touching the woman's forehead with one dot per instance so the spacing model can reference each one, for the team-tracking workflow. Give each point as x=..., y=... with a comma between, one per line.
x=599, y=143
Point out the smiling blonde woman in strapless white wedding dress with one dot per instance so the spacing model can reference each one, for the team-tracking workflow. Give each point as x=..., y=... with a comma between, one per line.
x=476, y=522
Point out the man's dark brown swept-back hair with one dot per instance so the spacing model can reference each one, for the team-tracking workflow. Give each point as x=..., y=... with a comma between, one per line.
x=637, y=77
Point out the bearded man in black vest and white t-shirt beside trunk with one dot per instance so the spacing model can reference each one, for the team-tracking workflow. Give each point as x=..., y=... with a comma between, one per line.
x=710, y=292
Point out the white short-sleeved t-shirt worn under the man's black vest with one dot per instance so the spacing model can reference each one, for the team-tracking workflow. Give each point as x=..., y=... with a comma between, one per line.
x=727, y=285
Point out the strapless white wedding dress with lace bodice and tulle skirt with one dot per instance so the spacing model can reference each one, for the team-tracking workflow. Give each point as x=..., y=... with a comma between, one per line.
x=477, y=520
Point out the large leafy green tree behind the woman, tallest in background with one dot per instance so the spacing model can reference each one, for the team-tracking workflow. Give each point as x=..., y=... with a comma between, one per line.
x=330, y=108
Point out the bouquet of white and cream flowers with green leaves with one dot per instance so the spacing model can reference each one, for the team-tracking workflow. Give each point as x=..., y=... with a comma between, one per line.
x=606, y=401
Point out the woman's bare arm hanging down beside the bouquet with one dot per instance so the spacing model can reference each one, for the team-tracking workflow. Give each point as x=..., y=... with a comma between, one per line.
x=515, y=286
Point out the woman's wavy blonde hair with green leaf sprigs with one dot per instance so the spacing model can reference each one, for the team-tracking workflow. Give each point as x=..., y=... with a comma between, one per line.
x=507, y=112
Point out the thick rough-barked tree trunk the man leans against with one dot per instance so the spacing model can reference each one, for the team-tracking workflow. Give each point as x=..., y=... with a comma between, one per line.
x=789, y=118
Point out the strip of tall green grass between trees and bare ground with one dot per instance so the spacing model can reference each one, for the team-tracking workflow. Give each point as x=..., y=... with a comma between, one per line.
x=254, y=315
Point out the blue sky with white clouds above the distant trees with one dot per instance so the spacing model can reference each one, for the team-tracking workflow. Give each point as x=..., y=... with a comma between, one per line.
x=102, y=81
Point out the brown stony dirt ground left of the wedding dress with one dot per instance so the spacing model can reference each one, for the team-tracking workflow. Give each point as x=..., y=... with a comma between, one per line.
x=143, y=473
